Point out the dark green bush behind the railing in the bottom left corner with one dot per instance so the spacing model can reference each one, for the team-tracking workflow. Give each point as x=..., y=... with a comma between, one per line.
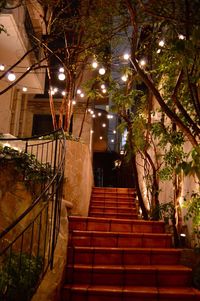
x=19, y=276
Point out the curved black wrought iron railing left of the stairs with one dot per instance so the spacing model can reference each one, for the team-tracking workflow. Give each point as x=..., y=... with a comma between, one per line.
x=27, y=245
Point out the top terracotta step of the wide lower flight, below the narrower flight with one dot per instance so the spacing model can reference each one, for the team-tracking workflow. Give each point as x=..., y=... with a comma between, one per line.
x=115, y=225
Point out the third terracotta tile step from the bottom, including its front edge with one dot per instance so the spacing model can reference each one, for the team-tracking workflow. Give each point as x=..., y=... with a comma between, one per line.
x=123, y=256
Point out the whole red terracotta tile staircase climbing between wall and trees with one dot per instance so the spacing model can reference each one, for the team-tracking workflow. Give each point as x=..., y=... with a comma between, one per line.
x=113, y=256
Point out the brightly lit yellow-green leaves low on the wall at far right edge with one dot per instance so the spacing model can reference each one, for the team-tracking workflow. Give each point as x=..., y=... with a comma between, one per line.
x=193, y=213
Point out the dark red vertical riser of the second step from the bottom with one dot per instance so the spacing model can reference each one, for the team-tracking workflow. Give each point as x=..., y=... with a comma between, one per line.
x=153, y=278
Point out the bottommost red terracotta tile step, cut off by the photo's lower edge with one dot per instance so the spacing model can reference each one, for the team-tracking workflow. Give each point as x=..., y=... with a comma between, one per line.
x=127, y=293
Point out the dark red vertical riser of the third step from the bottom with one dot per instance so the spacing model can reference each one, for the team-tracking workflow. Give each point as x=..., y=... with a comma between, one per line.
x=124, y=258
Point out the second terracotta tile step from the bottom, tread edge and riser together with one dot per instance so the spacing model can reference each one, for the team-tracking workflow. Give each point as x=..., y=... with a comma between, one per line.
x=159, y=276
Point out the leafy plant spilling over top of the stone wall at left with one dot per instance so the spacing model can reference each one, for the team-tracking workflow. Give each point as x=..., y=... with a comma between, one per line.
x=25, y=163
